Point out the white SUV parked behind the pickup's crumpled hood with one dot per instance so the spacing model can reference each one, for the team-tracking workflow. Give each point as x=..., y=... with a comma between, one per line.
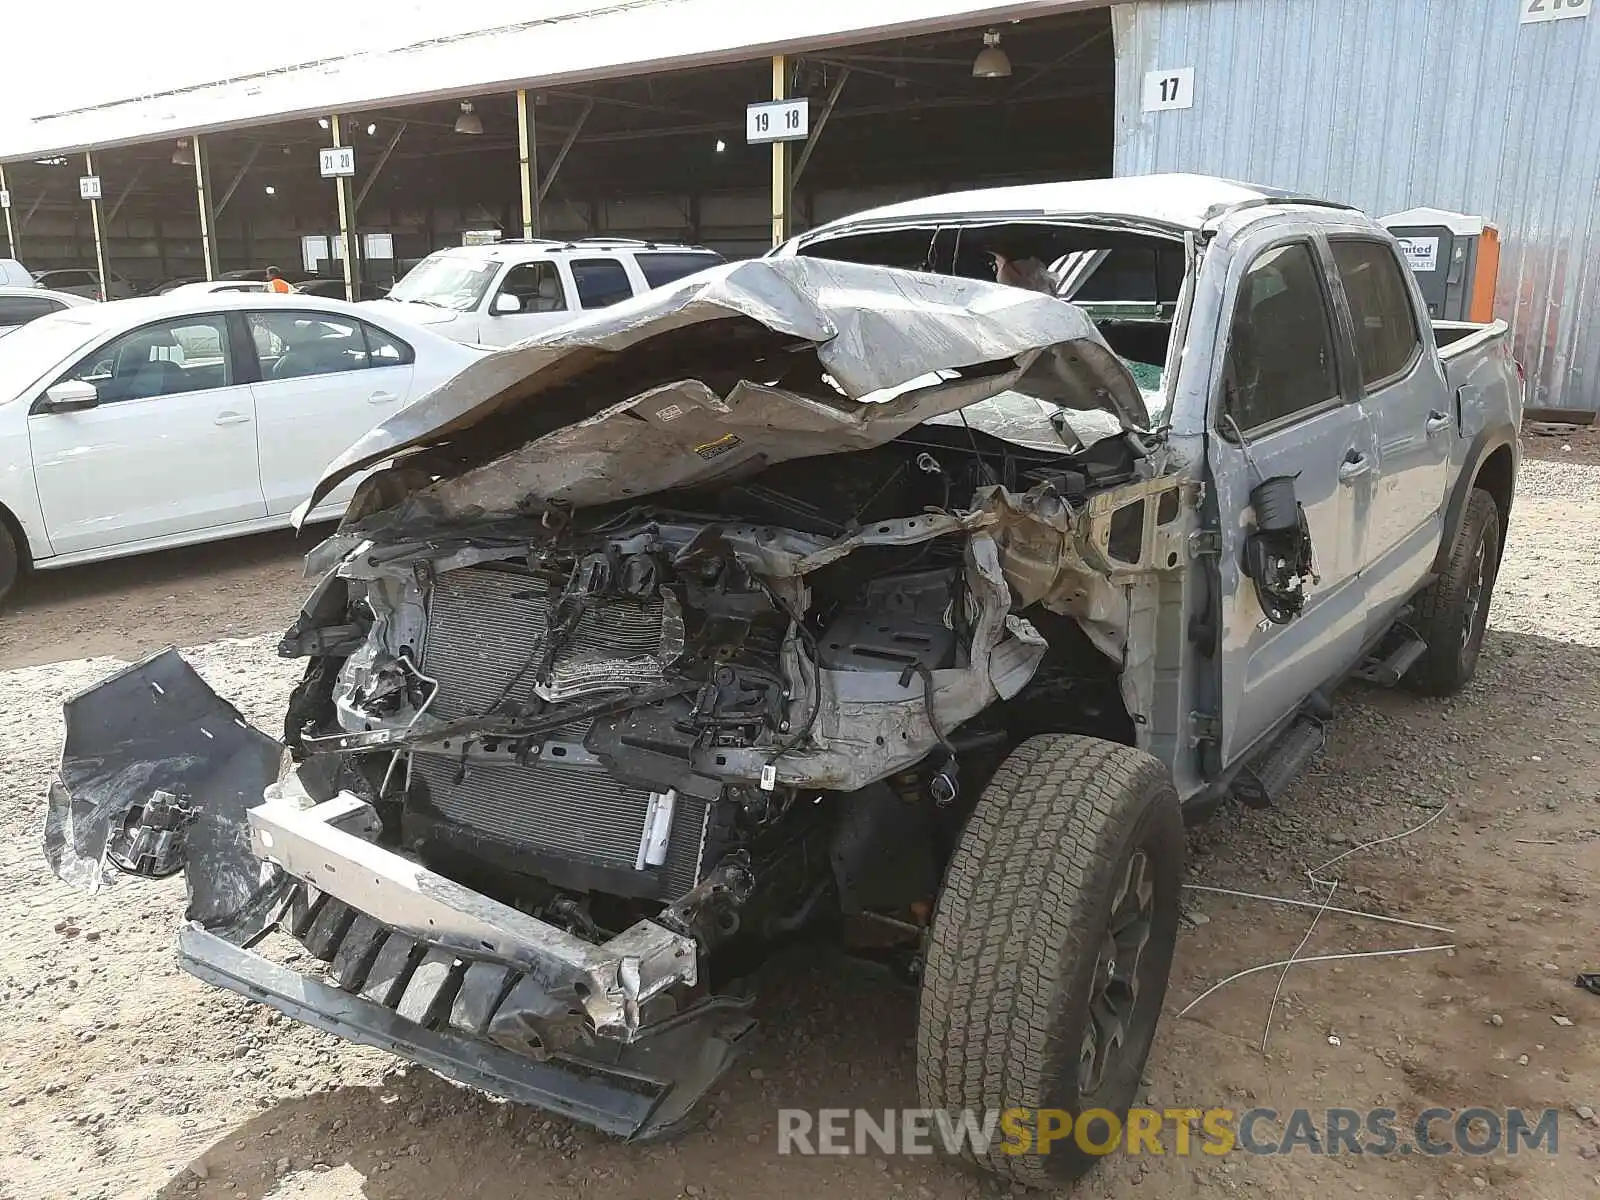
x=502, y=294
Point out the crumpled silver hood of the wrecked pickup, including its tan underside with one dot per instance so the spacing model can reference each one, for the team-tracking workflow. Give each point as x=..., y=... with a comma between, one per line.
x=817, y=356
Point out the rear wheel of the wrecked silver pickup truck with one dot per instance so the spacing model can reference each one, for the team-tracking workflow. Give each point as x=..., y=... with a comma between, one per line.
x=1447, y=615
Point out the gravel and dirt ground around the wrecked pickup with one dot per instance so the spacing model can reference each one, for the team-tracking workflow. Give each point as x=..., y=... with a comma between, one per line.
x=126, y=1078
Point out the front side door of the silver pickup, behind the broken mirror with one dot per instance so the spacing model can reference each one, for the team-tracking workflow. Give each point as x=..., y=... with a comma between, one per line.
x=1287, y=409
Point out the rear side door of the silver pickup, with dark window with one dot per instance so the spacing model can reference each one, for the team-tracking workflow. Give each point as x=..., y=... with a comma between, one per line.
x=1407, y=399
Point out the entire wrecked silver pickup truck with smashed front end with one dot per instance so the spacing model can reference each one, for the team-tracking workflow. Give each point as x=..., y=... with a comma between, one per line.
x=836, y=590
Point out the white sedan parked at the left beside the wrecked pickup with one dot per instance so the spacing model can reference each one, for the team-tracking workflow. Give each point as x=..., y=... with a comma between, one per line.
x=174, y=420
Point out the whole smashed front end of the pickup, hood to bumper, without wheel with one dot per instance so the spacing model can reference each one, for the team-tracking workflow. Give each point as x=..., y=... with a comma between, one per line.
x=655, y=641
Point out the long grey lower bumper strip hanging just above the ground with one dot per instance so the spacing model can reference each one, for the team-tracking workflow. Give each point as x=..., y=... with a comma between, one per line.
x=628, y=1102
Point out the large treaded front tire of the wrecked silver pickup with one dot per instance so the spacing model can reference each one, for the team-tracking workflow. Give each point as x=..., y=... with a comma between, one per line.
x=1014, y=956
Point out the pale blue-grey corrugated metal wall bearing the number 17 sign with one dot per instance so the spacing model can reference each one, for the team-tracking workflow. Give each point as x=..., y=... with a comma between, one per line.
x=1390, y=105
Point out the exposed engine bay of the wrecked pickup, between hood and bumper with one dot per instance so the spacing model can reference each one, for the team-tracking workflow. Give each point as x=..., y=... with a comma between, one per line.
x=596, y=714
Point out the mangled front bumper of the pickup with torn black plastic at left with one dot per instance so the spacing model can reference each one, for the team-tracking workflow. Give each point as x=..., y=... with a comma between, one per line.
x=618, y=1034
